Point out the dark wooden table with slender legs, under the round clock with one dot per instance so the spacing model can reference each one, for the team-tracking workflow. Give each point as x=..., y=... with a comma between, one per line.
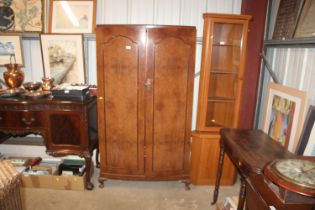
x=250, y=151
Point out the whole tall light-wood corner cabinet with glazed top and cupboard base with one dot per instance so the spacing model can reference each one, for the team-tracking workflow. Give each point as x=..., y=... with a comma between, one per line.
x=221, y=80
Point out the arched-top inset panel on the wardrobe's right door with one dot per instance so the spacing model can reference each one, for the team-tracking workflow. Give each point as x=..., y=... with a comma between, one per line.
x=170, y=89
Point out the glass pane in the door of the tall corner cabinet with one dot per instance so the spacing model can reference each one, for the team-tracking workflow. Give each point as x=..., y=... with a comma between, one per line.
x=225, y=63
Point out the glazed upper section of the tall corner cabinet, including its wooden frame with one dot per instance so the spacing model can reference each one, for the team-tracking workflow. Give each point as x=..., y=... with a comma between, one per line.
x=221, y=72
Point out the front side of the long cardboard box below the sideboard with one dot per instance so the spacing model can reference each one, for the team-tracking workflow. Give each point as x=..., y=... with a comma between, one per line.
x=54, y=182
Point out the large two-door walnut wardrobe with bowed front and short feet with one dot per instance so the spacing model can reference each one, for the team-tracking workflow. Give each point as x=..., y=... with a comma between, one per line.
x=145, y=84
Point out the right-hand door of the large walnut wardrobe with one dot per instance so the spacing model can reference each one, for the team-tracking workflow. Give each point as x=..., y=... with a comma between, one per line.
x=169, y=88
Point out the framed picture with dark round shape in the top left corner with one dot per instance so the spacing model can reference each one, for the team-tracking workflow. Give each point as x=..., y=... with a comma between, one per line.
x=22, y=16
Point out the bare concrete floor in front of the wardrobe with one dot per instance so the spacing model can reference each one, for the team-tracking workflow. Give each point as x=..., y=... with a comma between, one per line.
x=126, y=195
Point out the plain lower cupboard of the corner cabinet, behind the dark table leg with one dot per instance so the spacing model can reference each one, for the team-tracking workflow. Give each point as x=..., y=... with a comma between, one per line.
x=204, y=161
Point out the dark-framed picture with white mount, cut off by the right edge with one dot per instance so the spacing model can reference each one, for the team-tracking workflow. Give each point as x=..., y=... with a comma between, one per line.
x=307, y=140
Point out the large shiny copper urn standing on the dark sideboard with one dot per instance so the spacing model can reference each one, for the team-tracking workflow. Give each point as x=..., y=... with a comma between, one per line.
x=14, y=76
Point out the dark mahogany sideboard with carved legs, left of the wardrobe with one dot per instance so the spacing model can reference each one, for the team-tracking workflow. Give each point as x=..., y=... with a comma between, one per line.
x=69, y=127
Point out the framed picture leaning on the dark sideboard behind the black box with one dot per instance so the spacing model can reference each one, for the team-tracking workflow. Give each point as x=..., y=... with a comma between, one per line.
x=63, y=57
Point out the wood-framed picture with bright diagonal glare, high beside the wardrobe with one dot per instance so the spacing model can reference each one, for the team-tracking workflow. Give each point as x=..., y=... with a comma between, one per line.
x=72, y=16
